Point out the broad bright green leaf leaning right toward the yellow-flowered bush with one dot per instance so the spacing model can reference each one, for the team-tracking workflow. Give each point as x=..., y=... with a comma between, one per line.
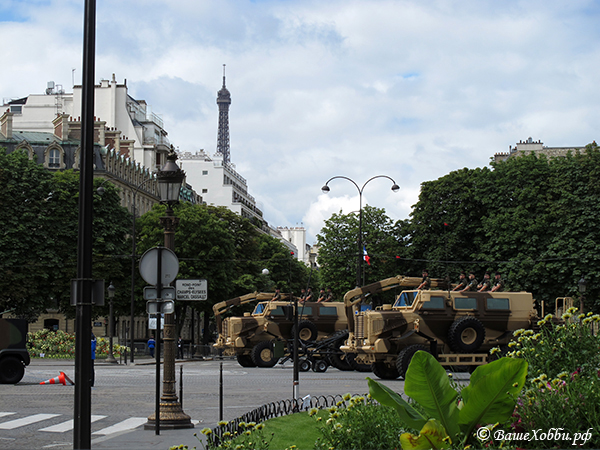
x=490, y=397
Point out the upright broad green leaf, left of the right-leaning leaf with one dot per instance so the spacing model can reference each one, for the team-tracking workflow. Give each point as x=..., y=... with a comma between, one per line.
x=427, y=383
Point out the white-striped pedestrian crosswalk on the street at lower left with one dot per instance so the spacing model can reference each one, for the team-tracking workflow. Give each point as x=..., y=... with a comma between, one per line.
x=42, y=419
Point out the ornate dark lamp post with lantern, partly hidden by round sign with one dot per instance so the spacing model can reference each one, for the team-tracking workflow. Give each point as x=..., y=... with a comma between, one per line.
x=170, y=179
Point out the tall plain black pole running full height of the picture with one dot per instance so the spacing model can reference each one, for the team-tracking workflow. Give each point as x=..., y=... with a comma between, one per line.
x=83, y=350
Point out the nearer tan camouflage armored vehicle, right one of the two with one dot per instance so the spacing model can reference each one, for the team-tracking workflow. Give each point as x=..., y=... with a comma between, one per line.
x=459, y=328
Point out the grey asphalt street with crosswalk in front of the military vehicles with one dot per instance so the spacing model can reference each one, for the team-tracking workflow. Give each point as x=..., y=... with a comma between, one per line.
x=37, y=416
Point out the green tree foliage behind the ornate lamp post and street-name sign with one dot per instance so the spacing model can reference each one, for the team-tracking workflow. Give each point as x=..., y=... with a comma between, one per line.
x=215, y=244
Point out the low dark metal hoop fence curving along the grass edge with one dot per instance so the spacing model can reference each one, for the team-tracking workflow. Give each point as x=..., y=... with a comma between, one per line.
x=272, y=410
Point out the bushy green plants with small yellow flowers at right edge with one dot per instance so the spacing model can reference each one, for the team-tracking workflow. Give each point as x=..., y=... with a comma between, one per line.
x=563, y=386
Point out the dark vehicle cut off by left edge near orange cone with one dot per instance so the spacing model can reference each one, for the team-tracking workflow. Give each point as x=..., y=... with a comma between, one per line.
x=13, y=350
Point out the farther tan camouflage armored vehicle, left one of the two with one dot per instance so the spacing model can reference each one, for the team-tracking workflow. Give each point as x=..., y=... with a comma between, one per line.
x=254, y=337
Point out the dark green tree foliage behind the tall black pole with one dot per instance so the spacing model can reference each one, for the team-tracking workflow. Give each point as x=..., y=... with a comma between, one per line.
x=38, y=244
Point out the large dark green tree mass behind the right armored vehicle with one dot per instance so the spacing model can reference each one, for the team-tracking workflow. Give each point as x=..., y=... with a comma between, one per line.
x=532, y=218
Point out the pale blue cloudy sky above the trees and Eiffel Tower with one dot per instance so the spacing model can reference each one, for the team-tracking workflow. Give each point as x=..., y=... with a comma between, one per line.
x=409, y=89
